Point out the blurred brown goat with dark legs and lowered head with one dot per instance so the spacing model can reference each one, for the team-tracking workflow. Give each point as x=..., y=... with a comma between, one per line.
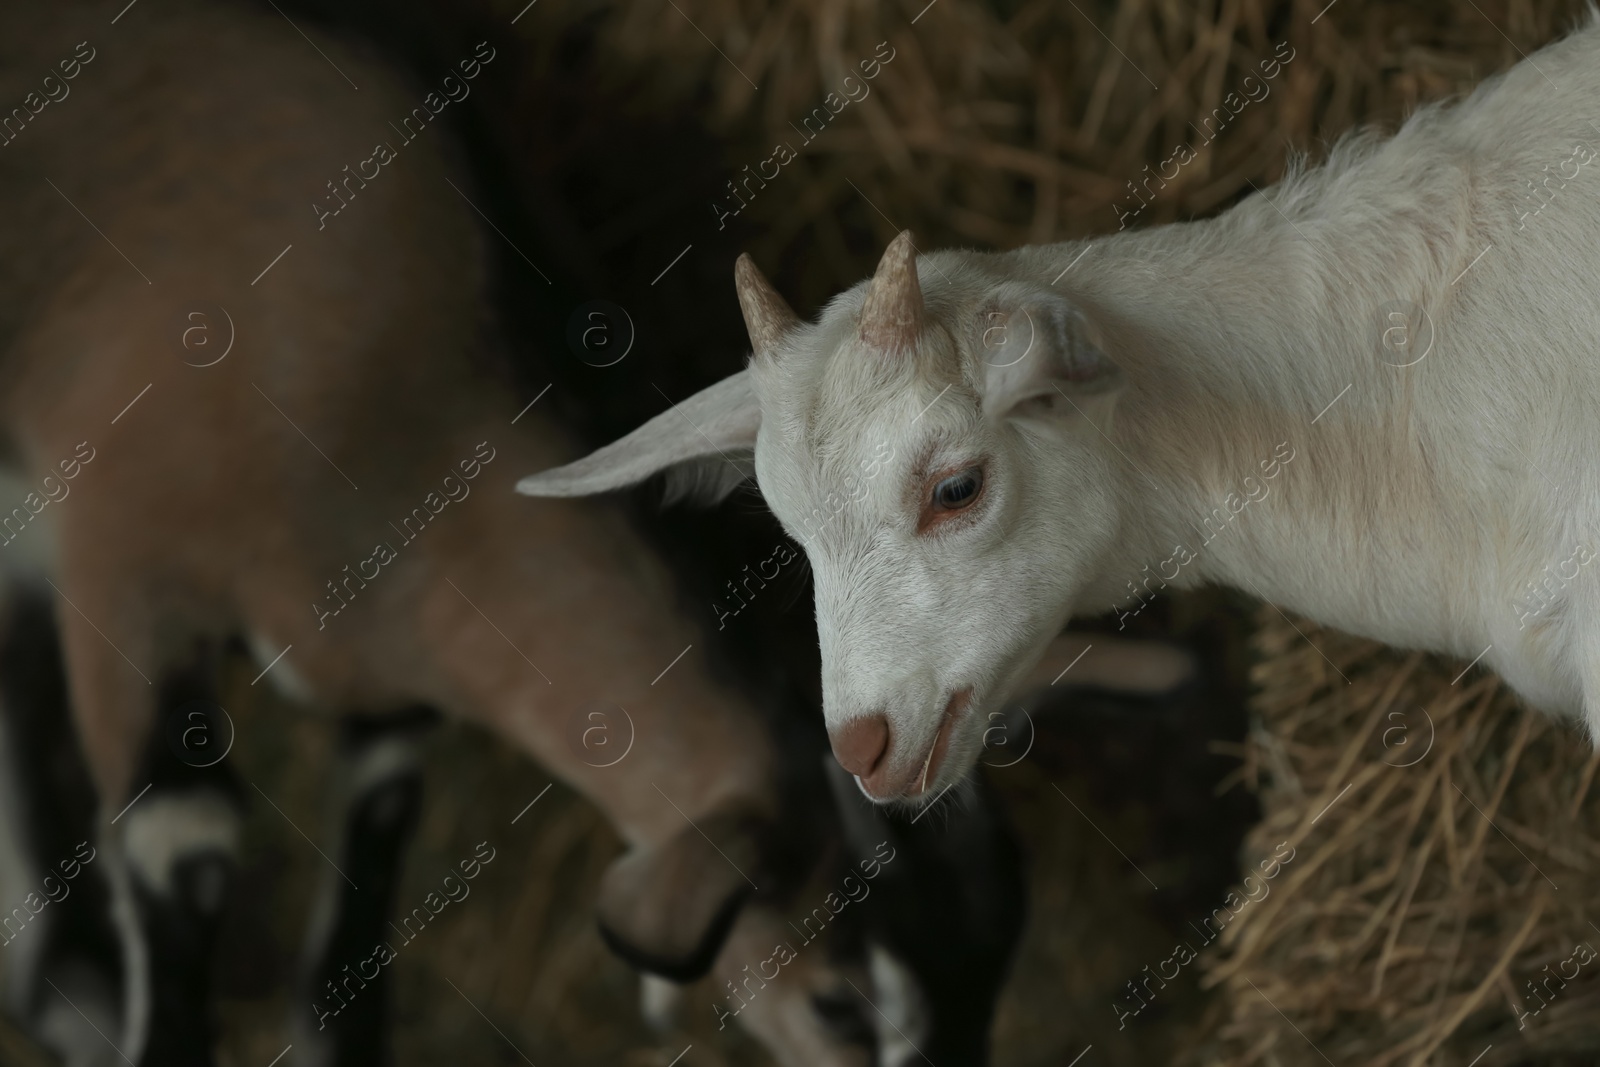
x=250, y=391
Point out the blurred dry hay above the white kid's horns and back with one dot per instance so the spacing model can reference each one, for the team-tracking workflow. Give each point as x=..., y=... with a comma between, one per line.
x=1030, y=121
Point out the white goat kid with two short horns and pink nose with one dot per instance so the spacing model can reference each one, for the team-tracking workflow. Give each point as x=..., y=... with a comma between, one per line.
x=975, y=447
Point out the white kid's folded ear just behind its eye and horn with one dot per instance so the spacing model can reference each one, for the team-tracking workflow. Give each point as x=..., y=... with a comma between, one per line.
x=1042, y=358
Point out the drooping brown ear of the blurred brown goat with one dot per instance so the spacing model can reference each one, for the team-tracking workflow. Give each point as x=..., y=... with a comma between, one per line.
x=666, y=909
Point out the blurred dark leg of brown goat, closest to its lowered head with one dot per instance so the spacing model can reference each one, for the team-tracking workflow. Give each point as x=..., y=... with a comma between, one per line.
x=342, y=1012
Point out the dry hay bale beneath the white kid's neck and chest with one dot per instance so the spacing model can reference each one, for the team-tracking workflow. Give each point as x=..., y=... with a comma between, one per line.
x=1447, y=853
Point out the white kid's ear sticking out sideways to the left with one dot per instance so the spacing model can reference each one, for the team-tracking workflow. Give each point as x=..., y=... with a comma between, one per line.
x=706, y=444
